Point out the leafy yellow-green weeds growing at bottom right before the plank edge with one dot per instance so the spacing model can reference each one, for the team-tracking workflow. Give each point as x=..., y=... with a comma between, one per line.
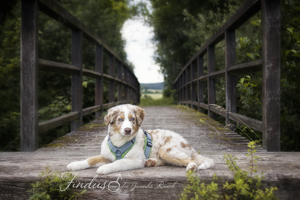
x=246, y=185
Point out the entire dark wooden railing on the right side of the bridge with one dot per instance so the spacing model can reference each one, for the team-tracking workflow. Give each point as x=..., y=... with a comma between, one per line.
x=190, y=81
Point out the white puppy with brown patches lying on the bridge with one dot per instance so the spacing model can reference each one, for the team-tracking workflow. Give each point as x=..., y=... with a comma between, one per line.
x=128, y=147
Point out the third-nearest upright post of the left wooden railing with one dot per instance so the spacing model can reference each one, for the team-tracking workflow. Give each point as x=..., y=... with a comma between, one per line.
x=99, y=81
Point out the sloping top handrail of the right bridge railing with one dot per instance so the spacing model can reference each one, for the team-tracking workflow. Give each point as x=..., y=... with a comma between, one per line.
x=245, y=12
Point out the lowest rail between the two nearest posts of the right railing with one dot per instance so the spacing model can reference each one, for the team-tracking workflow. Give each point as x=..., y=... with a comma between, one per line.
x=252, y=123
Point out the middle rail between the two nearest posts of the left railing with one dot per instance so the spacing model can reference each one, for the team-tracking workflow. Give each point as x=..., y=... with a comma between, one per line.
x=48, y=65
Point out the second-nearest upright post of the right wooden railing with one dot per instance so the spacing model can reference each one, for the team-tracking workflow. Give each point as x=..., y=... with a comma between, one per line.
x=230, y=80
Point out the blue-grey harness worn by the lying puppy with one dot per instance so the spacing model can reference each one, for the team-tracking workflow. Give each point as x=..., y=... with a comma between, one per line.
x=120, y=152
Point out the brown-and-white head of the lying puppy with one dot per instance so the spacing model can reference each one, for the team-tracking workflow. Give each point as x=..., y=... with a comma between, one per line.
x=124, y=119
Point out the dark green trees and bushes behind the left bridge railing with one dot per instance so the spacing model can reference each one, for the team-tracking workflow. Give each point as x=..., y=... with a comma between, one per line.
x=103, y=17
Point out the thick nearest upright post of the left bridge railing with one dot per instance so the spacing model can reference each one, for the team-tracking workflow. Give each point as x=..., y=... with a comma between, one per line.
x=29, y=75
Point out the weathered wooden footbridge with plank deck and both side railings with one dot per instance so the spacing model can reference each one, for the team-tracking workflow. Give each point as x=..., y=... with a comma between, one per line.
x=19, y=169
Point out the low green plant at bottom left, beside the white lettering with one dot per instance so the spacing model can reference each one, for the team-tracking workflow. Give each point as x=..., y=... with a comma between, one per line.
x=52, y=186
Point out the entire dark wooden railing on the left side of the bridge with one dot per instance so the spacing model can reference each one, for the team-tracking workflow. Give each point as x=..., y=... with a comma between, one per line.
x=128, y=86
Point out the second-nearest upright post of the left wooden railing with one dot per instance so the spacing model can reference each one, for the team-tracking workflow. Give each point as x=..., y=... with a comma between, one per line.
x=77, y=78
